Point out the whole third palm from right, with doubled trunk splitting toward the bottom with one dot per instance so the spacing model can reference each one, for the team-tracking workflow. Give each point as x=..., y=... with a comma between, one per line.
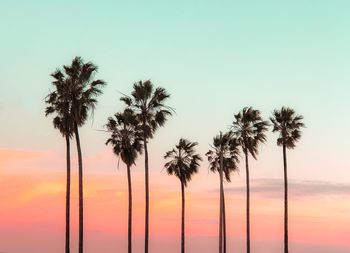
x=223, y=158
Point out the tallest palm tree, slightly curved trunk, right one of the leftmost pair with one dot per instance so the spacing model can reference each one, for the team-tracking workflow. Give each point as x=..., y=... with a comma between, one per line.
x=83, y=90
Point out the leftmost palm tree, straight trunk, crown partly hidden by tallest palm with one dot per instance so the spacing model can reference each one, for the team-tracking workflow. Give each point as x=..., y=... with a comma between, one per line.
x=58, y=104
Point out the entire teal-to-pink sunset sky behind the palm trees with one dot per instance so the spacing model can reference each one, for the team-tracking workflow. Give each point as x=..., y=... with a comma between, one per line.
x=214, y=58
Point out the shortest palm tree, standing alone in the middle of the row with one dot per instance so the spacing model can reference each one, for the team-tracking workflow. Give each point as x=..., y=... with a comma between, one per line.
x=183, y=162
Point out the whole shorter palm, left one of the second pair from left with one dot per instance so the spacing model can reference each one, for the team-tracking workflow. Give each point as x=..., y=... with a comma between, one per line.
x=127, y=144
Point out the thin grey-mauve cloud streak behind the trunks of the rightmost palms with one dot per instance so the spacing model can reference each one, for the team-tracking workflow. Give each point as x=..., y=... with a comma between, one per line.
x=273, y=188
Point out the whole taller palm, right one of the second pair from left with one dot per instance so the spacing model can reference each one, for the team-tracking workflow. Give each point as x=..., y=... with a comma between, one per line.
x=148, y=104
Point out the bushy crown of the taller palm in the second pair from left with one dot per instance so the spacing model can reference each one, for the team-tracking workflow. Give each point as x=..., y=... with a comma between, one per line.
x=148, y=104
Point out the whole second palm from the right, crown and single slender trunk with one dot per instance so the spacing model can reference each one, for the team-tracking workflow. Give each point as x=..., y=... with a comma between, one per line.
x=249, y=128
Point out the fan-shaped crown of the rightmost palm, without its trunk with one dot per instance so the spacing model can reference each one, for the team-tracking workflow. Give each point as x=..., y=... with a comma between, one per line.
x=288, y=124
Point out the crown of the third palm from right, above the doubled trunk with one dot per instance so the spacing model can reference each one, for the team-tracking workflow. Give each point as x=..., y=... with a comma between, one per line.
x=228, y=146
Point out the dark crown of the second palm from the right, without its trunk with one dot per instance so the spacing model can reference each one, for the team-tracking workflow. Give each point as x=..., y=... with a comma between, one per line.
x=249, y=128
